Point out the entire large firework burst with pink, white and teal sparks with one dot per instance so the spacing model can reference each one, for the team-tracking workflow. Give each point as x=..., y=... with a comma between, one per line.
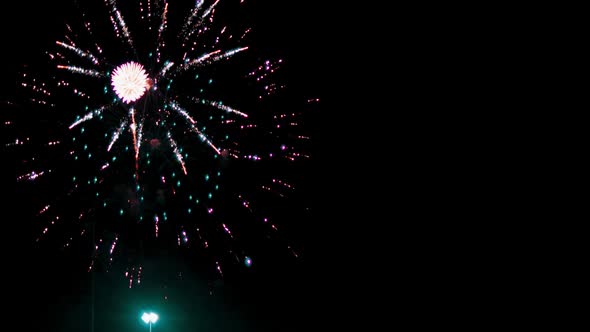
x=164, y=136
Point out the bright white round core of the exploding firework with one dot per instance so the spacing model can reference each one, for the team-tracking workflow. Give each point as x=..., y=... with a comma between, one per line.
x=130, y=81
